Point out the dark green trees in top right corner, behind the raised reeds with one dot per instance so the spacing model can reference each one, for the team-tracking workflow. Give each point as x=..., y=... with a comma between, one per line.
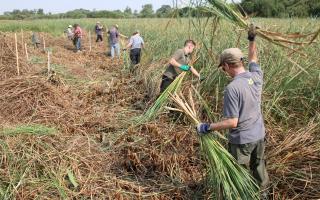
x=282, y=8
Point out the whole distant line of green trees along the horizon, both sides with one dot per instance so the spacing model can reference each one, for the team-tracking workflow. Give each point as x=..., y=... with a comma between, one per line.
x=259, y=8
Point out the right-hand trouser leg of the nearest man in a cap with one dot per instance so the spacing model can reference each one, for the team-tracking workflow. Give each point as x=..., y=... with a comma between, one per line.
x=258, y=165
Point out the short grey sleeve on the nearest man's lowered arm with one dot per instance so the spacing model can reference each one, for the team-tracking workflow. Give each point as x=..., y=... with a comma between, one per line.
x=231, y=105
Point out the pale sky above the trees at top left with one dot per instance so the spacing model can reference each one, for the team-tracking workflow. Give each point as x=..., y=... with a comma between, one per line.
x=58, y=6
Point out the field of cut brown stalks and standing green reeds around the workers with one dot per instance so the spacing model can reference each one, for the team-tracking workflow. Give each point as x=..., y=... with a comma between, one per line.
x=291, y=104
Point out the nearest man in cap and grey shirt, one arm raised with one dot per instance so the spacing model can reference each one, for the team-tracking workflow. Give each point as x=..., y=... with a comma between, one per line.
x=242, y=111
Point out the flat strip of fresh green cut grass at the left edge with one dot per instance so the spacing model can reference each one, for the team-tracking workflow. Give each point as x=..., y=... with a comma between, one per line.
x=32, y=129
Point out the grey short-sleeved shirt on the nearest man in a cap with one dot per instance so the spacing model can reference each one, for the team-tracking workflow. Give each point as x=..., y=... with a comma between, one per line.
x=242, y=100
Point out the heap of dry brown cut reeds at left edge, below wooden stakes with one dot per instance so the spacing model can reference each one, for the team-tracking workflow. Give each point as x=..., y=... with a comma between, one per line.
x=27, y=99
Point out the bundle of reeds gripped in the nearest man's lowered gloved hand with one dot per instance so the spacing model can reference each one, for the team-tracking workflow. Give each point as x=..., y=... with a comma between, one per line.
x=225, y=175
